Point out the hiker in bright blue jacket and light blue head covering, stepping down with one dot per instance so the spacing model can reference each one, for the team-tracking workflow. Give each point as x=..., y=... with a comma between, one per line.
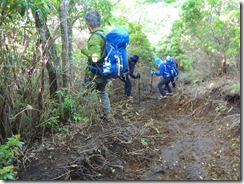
x=166, y=78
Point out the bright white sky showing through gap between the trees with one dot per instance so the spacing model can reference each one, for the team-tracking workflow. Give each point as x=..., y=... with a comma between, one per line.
x=151, y=16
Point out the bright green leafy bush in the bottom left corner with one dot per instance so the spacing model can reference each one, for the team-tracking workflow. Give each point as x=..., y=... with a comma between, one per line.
x=8, y=153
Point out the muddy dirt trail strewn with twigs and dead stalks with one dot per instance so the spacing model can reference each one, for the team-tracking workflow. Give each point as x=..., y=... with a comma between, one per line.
x=184, y=137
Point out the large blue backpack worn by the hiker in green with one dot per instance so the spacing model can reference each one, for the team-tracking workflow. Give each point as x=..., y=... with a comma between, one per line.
x=115, y=59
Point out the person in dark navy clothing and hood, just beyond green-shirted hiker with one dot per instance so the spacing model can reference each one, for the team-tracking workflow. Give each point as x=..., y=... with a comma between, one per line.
x=130, y=73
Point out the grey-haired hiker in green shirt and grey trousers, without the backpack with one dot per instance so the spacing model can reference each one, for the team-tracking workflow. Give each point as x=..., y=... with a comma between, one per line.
x=94, y=51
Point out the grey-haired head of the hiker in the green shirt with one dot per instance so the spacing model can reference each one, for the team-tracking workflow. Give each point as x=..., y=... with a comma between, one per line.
x=93, y=19
